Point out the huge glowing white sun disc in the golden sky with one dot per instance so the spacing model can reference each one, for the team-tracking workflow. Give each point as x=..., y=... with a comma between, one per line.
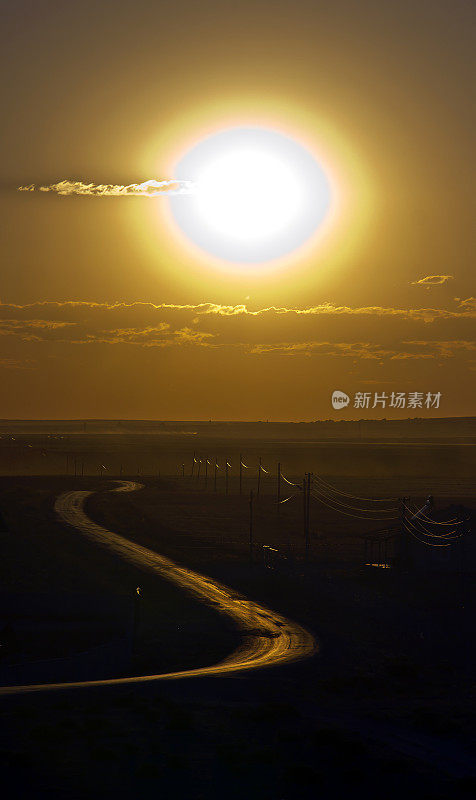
x=258, y=195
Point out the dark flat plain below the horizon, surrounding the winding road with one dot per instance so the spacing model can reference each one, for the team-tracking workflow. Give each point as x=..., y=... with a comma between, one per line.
x=385, y=706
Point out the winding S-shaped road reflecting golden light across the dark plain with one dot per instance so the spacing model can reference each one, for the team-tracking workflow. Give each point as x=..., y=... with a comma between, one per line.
x=268, y=638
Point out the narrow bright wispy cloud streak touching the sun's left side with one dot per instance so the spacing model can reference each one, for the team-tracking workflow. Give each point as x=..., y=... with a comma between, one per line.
x=150, y=188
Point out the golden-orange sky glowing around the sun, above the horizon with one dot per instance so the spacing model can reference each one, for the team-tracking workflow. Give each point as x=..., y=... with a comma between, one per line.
x=105, y=312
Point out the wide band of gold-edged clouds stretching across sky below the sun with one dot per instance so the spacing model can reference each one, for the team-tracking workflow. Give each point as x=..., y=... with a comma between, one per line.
x=324, y=331
